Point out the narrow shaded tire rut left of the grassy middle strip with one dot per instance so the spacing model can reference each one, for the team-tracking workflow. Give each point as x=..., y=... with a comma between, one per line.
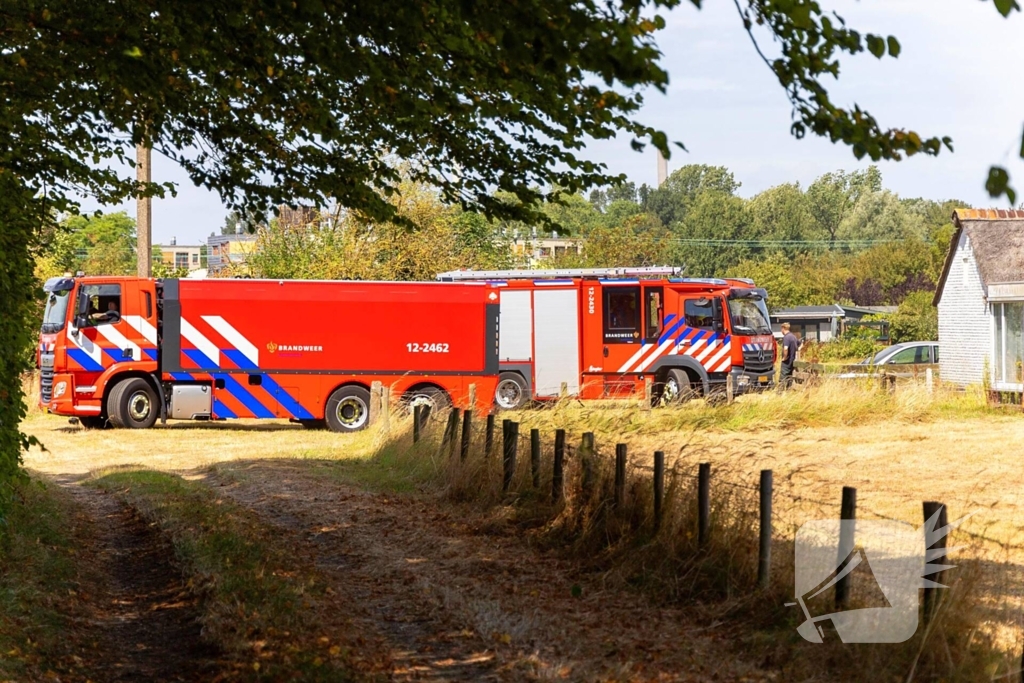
x=145, y=622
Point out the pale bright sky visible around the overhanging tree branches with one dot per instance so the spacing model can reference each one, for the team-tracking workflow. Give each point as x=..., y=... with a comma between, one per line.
x=958, y=76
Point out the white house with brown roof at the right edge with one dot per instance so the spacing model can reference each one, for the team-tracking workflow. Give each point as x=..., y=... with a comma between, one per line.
x=980, y=297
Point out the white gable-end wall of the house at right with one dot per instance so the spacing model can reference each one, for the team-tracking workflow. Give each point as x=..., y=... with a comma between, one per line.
x=965, y=324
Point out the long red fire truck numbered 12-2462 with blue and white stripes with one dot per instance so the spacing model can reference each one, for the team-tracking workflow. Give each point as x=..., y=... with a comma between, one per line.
x=126, y=352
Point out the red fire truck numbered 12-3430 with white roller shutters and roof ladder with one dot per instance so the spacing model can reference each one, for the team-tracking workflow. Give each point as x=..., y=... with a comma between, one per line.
x=600, y=333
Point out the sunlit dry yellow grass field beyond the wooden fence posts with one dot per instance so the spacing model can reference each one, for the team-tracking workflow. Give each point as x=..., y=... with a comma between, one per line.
x=898, y=450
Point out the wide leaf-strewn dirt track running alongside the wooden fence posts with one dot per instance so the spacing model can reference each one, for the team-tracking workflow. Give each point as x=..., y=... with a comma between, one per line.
x=454, y=604
